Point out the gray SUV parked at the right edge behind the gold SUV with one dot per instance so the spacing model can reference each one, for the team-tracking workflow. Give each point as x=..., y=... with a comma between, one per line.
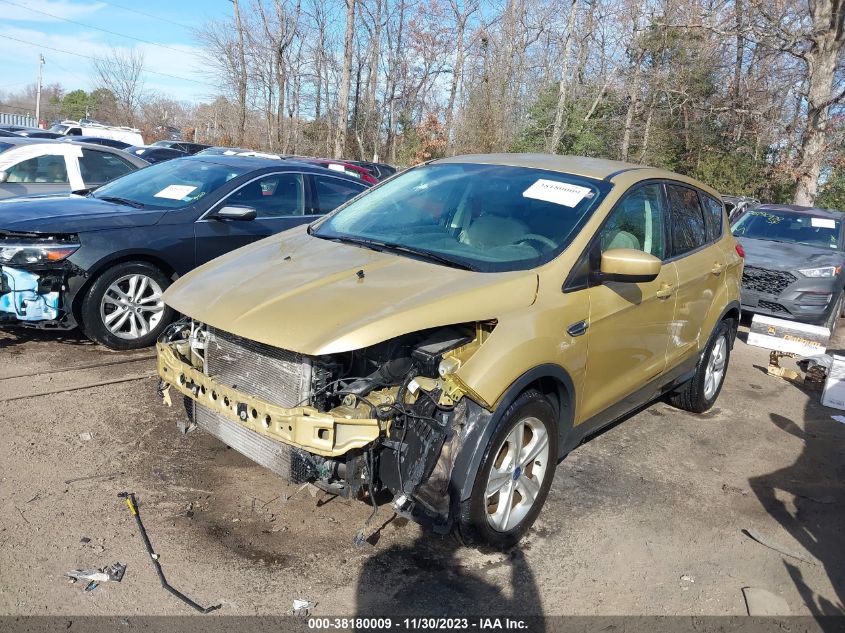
x=793, y=262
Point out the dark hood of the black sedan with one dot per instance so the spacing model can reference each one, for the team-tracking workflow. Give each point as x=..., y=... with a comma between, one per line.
x=69, y=213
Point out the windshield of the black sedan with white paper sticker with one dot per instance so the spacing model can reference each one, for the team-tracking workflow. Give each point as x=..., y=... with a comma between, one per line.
x=169, y=185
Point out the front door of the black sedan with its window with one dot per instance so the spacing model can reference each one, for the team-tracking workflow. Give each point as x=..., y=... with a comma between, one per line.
x=280, y=200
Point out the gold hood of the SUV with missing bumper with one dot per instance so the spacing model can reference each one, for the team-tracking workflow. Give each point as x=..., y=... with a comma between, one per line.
x=306, y=294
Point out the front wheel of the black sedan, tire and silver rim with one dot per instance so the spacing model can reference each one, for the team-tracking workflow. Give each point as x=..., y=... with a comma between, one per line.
x=132, y=291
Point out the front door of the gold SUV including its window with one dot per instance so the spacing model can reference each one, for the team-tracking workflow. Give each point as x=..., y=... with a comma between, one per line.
x=630, y=324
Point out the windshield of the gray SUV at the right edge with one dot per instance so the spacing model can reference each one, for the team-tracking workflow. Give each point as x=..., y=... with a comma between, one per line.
x=786, y=226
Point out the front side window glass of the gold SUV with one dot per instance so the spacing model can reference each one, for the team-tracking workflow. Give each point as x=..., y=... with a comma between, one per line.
x=637, y=222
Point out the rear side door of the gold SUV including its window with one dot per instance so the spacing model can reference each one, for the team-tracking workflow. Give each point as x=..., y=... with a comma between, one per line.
x=701, y=269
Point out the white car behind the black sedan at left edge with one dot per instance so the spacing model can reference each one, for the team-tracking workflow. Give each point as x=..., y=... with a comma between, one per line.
x=38, y=166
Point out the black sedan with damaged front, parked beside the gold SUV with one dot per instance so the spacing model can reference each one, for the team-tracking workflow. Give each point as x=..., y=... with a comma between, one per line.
x=102, y=261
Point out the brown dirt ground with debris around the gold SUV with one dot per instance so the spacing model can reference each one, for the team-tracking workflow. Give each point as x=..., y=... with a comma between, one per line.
x=646, y=518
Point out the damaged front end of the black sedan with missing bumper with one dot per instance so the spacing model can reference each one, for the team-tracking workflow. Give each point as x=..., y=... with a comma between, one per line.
x=34, y=276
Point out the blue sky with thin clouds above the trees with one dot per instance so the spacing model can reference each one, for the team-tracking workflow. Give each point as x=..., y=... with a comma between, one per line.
x=66, y=30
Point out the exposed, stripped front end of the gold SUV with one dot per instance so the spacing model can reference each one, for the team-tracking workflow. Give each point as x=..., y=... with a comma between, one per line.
x=391, y=416
